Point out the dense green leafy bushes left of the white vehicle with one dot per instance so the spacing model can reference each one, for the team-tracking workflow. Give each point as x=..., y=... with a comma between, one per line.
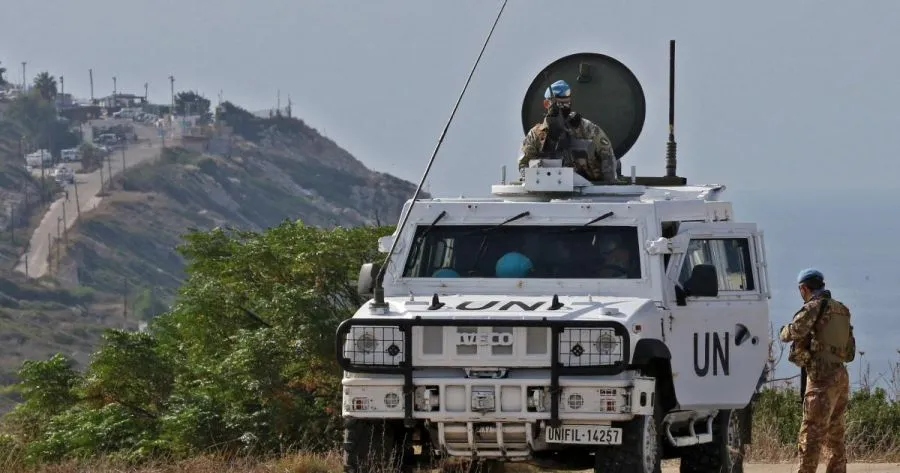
x=243, y=362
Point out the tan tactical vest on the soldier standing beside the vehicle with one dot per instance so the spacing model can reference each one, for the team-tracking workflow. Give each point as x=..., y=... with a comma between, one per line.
x=832, y=339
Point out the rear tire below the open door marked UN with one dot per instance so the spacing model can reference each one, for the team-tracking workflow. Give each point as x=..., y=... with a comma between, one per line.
x=725, y=454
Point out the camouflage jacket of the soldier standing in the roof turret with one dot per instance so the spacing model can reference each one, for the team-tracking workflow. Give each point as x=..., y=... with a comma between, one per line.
x=602, y=168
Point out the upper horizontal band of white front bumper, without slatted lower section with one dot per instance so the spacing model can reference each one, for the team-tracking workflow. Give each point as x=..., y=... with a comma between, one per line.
x=522, y=397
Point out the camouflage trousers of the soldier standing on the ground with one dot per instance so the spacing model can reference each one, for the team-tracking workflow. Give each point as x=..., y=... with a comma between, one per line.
x=824, y=407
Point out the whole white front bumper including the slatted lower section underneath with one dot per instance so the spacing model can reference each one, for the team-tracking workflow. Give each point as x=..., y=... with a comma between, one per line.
x=496, y=418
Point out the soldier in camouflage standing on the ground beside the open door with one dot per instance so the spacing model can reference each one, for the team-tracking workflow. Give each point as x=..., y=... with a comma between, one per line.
x=822, y=343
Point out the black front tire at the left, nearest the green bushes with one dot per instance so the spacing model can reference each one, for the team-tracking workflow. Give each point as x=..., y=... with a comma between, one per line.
x=375, y=446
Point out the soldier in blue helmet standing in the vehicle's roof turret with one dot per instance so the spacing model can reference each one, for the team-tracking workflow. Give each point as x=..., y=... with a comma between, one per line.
x=602, y=166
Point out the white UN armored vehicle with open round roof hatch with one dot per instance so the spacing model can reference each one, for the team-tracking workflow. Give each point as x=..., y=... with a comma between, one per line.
x=562, y=322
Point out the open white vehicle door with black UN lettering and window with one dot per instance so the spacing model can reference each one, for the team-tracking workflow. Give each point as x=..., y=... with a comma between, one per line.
x=718, y=333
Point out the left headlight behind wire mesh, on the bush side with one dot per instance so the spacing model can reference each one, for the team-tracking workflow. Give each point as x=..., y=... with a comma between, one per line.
x=374, y=345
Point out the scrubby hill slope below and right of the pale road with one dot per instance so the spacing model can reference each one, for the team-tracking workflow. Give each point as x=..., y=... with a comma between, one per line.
x=121, y=265
